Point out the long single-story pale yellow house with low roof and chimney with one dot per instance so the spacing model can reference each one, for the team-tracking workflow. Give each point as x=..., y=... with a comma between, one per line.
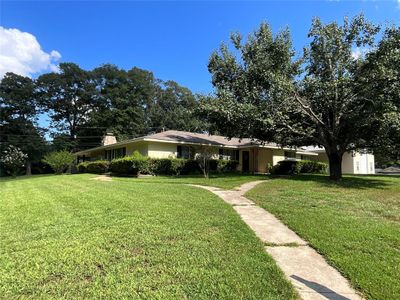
x=252, y=155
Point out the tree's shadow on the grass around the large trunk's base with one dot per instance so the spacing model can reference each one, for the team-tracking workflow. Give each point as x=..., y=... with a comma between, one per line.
x=348, y=181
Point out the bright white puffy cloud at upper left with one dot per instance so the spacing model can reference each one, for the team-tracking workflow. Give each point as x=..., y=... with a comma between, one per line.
x=21, y=53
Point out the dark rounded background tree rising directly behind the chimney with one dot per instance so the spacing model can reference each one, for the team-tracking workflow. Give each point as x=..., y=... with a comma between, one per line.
x=127, y=96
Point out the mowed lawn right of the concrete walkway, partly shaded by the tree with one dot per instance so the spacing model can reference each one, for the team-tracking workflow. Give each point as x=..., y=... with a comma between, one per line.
x=355, y=223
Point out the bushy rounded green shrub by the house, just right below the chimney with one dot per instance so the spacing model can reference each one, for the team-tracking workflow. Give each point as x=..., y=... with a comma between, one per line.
x=130, y=165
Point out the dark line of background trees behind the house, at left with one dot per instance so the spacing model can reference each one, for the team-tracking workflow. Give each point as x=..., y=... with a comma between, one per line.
x=82, y=105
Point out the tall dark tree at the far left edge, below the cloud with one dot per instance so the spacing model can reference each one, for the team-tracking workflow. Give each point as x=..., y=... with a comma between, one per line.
x=19, y=113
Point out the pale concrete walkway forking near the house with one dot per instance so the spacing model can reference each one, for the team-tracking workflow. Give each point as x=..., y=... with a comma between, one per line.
x=308, y=271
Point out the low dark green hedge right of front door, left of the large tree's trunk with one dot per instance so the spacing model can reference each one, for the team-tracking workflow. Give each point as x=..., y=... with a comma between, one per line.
x=291, y=167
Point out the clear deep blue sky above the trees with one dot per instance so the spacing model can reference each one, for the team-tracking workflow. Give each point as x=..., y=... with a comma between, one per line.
x=172, y=39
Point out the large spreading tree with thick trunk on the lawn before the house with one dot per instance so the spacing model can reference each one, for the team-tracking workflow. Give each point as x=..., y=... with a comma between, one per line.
x=263, y=92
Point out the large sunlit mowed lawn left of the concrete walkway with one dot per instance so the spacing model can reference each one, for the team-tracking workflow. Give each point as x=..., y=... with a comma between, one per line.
x=73, y=237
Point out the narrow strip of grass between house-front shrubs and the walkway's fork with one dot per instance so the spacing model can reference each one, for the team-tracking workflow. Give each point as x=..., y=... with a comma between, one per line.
x=224, y=181
